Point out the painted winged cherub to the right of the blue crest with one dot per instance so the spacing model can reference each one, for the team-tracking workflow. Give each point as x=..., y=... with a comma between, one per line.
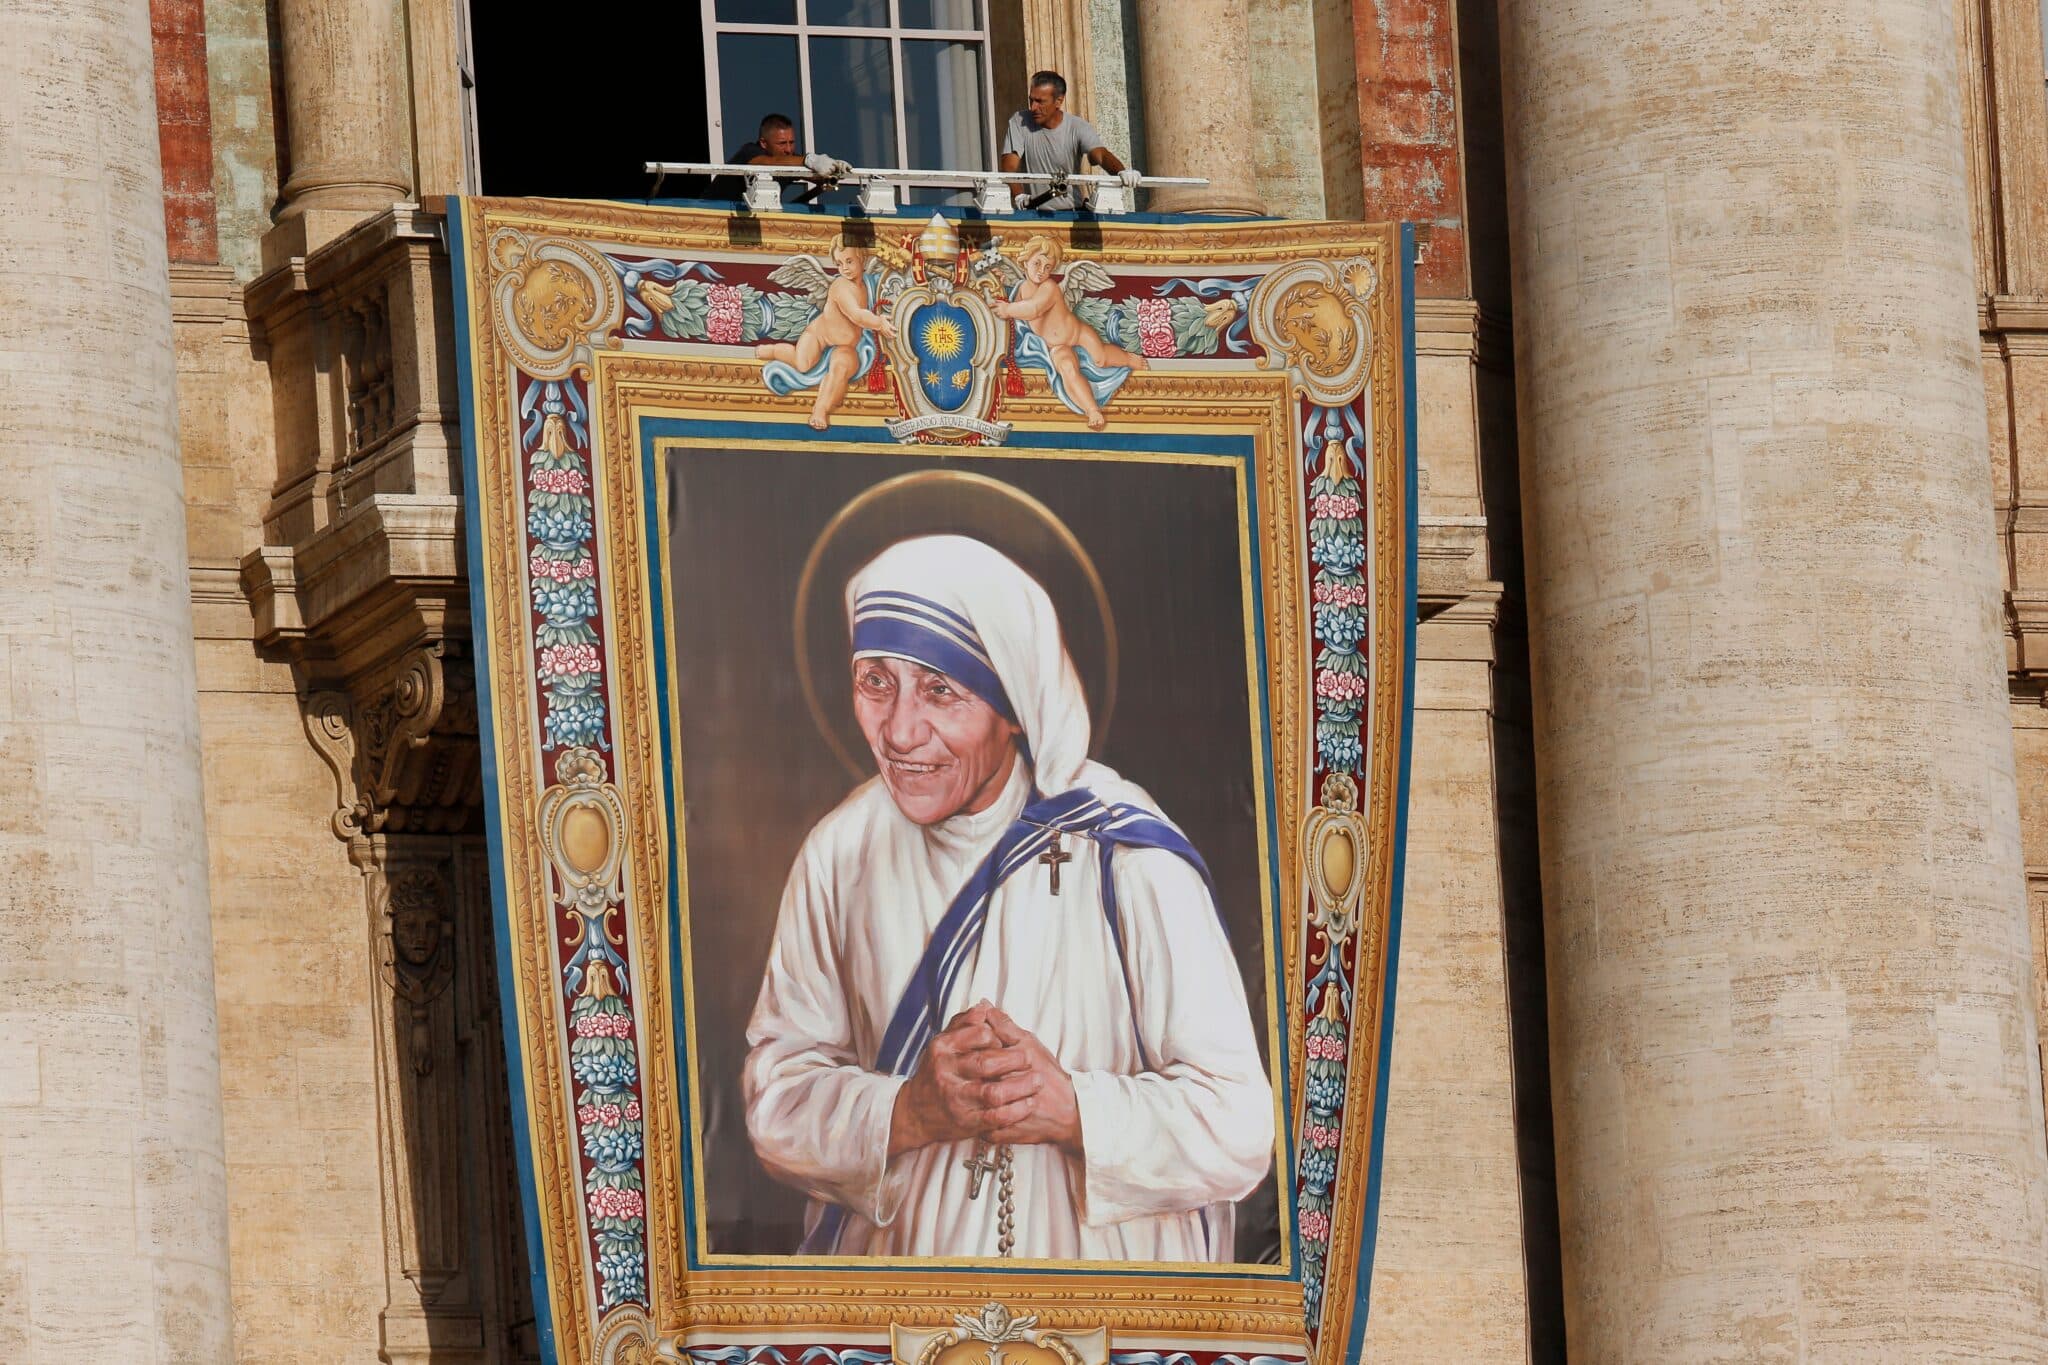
x=1086, y=371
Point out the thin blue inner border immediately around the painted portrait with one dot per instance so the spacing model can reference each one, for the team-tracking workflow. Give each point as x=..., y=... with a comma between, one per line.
x=1240, y=449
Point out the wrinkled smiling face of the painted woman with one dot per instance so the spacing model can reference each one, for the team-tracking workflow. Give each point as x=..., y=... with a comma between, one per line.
x=939, y=748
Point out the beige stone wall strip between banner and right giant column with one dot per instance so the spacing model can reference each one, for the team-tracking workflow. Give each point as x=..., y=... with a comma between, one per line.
x=1449, y=1278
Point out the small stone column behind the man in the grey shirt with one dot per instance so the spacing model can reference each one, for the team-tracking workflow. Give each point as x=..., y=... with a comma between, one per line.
x=1197, y=75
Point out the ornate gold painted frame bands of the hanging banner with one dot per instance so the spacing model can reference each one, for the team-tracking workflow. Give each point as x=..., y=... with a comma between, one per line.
x=562, y=832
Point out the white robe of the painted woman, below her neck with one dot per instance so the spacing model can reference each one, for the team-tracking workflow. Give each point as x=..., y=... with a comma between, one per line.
x=1177, y=1112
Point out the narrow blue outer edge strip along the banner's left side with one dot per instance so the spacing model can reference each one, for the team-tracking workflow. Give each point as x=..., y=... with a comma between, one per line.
x=544, y=1311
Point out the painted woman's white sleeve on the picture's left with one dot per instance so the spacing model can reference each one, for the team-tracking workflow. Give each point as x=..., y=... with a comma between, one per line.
x=818, y=1118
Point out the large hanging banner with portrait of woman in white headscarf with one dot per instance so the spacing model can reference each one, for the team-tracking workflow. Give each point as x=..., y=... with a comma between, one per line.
x=945, y=691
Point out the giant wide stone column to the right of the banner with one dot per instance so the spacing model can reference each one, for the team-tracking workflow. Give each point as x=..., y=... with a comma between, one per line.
x=1793, y=1039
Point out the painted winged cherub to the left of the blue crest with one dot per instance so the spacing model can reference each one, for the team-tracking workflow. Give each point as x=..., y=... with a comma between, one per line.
x=839, y=345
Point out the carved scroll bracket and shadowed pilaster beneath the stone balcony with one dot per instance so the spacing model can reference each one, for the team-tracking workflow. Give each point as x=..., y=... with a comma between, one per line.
x=409, y=805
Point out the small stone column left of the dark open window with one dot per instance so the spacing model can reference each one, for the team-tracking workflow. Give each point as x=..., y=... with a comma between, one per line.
x=347, y=114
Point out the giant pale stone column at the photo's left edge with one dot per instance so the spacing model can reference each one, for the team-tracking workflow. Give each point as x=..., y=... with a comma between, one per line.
x=114, y=1210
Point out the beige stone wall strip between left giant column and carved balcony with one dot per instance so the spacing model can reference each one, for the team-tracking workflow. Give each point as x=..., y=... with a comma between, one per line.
x=298, y=1059
